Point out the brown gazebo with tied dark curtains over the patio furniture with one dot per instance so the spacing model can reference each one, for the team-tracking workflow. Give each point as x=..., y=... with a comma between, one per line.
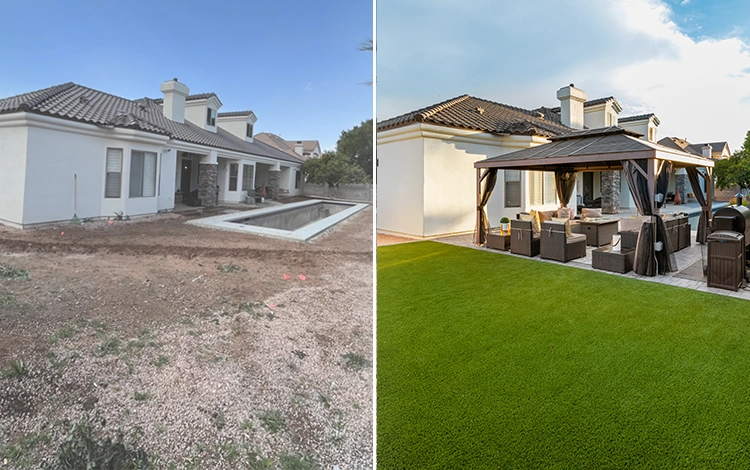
x=647, y=167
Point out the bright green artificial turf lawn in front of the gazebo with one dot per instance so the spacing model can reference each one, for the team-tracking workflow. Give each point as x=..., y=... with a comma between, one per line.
x=492, y=361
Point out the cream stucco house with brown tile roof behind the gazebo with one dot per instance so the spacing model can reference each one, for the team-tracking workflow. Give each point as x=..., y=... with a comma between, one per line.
x=426, y=182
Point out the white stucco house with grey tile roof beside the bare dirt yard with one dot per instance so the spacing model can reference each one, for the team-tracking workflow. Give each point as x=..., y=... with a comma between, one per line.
x=69, y=149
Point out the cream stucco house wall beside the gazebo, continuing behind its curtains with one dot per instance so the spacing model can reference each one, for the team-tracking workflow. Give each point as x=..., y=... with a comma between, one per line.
x=445, y=199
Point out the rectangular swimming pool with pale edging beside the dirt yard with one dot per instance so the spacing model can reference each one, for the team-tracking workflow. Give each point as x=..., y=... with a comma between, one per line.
x=299, y=221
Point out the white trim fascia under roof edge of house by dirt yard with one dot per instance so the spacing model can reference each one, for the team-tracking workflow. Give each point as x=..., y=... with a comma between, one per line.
x=22, y=119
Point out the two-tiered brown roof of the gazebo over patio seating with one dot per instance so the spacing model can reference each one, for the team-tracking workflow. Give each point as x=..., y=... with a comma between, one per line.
x=600, y=149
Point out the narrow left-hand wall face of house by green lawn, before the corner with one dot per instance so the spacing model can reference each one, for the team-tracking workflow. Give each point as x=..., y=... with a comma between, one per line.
x=399, y=186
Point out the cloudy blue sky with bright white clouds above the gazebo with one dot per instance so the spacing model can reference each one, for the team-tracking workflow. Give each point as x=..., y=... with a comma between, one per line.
x=687, y=61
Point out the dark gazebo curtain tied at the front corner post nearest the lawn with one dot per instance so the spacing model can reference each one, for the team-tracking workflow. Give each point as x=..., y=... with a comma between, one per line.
x=647, y=260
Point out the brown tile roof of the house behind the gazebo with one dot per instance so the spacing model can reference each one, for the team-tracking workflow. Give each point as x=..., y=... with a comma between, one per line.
x=467, y=112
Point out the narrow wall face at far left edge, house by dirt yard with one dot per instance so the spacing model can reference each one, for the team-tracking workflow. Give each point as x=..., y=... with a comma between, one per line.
x=13, y=141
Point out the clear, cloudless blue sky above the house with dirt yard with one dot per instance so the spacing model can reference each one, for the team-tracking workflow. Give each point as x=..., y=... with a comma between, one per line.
x=296, y=64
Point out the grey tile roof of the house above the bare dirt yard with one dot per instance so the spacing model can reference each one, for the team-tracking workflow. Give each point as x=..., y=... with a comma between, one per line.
x=78, y=103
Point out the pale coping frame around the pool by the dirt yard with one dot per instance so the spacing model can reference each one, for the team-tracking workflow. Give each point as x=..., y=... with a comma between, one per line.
x=303, y=234
